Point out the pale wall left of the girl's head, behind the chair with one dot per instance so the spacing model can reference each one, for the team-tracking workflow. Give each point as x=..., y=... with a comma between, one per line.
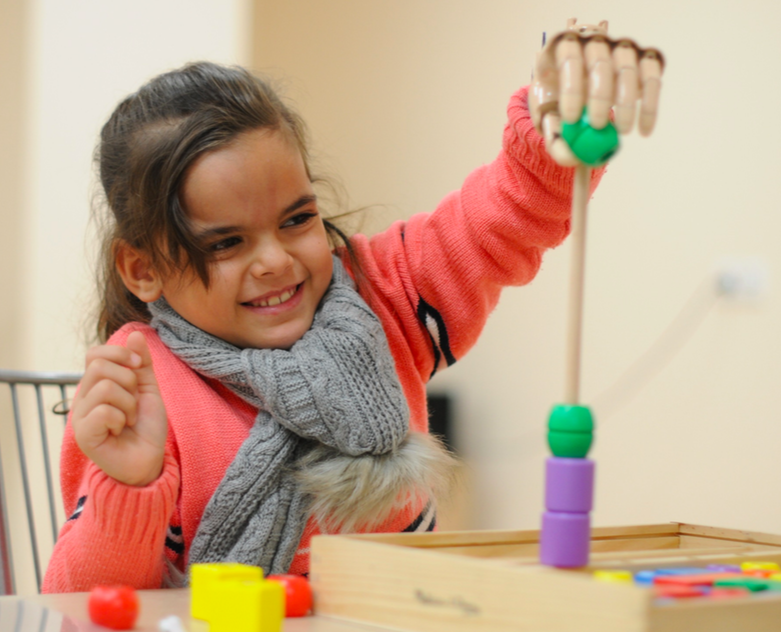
x=63, y=68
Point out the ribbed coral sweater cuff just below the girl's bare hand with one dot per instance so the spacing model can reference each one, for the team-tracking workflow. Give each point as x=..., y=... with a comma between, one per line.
x=135, y=515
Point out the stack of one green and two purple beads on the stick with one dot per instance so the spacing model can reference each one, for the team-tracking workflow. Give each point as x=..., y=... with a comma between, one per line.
x=569, y=489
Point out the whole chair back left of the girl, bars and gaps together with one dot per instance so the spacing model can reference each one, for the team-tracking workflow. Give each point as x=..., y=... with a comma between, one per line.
x=33, y=395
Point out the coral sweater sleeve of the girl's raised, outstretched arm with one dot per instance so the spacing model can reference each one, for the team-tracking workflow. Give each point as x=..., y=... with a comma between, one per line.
x=440, y=274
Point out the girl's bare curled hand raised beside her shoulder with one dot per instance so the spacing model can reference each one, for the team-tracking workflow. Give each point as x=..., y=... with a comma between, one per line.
x=119, y=419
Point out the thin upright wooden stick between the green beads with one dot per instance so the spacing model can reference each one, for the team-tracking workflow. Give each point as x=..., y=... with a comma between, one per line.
x=580, y=191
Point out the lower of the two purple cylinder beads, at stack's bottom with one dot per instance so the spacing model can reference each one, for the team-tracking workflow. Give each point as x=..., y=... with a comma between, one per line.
x=565, y=539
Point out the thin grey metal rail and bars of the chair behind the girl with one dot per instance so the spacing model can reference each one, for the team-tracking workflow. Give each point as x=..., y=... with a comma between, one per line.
x=37, y=380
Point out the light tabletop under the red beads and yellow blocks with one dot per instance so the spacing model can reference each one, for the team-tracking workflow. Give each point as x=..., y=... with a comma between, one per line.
x=68, y=613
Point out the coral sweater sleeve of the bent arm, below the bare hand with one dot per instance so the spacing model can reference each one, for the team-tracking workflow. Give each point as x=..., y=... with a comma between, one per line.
x=114, y=533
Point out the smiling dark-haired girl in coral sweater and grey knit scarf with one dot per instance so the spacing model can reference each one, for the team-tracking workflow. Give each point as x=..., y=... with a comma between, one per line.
x=263, y=377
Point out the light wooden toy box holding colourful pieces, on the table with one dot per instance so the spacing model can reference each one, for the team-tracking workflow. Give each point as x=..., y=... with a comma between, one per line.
x=492, y=581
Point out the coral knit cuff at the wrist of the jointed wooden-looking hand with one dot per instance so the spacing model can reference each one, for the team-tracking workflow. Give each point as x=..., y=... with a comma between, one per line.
x=523, y=142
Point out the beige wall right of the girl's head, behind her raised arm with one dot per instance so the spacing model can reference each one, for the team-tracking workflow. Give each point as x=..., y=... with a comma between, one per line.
x=404, y=98
